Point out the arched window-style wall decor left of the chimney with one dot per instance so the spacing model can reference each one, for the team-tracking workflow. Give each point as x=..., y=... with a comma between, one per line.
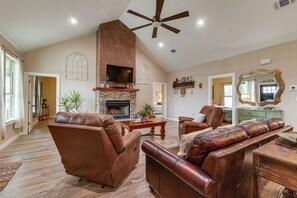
x=76, y=65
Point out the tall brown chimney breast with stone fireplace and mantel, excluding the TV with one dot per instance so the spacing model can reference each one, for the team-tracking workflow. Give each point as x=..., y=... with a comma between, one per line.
x=116, y=45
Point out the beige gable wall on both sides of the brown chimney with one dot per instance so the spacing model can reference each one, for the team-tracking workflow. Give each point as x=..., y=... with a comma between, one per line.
x=51, y=59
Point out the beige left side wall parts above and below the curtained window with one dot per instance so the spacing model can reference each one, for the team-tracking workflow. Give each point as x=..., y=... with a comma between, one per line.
x=10, y=132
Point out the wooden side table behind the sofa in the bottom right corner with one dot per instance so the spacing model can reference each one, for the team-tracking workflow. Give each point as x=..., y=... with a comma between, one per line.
x=276, y=163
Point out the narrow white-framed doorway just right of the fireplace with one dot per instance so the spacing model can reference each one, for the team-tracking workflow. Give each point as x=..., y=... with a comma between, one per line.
x=159, y=99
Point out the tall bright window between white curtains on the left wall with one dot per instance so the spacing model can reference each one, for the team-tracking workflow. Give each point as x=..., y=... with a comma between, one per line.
x=9, y=86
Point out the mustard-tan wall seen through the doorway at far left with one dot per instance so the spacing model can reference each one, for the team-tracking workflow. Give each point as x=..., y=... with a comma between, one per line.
x=49, y=93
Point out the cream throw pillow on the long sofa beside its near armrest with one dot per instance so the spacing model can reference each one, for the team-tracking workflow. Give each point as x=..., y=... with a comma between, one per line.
x=187, y=139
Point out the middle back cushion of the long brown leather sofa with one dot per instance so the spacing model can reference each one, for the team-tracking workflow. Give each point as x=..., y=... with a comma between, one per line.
x=254, y=128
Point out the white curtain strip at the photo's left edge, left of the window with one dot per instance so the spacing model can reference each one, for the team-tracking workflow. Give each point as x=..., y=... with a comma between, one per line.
x=2, y=92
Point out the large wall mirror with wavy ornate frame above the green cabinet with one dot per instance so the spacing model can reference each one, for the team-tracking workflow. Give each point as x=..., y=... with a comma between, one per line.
x=260, y=87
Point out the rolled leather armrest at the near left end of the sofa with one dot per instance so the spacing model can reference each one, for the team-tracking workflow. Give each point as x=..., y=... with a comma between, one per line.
x=183, y=169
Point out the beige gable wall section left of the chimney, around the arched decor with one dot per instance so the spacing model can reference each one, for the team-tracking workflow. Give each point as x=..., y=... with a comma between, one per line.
x=51, y=59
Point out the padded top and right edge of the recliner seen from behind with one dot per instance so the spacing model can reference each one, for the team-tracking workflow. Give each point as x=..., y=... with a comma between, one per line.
x=112, y=128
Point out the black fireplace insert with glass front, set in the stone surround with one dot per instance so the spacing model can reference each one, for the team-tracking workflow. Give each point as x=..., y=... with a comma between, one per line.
x=119, y=109
